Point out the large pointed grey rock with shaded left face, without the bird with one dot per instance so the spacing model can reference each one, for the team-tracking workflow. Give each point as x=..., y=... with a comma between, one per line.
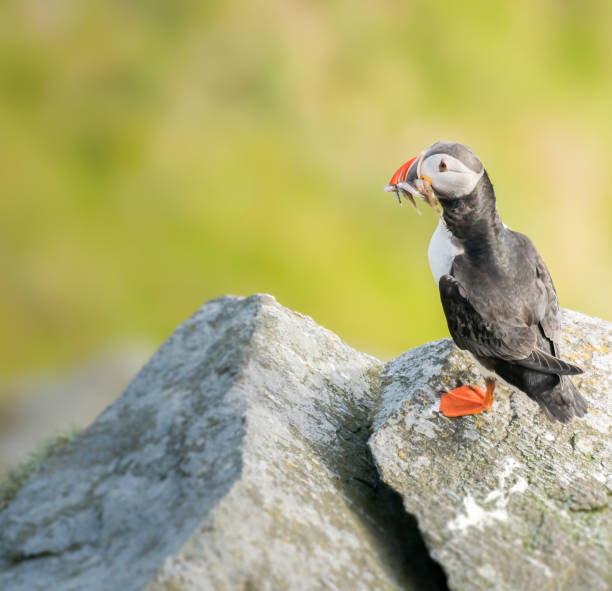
x=236, y=459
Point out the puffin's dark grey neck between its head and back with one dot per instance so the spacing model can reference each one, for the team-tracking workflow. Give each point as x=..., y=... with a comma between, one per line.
x=473, y=220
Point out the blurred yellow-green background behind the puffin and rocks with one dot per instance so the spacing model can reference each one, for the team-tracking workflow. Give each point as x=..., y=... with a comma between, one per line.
x=154, y=155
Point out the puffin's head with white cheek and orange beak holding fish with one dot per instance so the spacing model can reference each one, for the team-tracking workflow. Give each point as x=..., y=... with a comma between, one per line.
x=451, y=169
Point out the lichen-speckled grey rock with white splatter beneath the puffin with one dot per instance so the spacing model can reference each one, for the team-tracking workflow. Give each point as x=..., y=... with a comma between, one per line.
x=504, y=499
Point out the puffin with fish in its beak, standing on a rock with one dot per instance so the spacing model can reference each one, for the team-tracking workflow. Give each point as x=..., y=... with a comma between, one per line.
x=497, y=294
